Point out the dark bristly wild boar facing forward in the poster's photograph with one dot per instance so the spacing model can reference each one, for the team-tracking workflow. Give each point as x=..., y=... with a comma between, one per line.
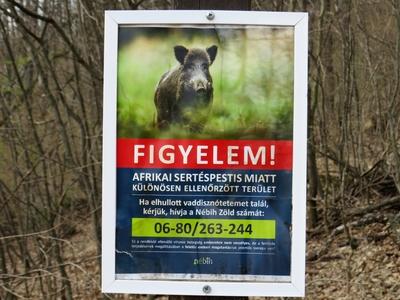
x=185, y=93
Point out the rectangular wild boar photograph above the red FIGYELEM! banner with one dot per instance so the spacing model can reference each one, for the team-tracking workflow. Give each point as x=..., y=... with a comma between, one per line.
x=222, y=82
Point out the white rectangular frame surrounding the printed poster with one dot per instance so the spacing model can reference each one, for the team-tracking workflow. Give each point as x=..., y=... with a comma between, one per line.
x=296, y=286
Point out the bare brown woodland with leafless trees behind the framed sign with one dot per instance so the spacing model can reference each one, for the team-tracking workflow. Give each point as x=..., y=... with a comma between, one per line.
x=51, y=62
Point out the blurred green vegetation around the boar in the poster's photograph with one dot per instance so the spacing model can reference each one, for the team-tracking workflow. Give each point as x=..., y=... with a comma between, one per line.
x=252, y=75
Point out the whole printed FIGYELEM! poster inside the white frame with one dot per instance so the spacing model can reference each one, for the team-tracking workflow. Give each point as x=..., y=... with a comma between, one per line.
x=204, y=152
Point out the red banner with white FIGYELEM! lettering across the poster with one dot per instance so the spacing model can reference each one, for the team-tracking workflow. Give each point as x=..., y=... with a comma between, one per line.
x=204, y=154
